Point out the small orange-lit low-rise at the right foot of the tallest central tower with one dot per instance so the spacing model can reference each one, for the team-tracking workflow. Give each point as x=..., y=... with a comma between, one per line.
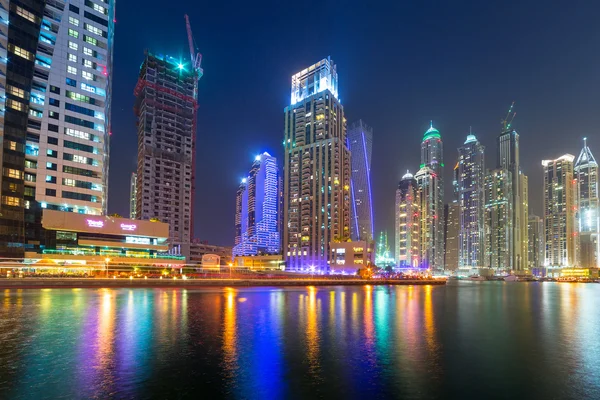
x=349, y=257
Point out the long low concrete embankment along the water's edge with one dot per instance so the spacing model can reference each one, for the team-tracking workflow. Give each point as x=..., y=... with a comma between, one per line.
x=40, y=283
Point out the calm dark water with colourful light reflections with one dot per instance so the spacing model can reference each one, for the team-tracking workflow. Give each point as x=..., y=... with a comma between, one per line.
x=466, y=340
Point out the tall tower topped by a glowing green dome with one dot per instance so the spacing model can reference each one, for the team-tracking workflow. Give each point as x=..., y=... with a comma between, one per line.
x=431, y=183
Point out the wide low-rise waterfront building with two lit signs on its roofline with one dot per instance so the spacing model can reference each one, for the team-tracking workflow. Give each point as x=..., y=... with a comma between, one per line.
x=101, y=243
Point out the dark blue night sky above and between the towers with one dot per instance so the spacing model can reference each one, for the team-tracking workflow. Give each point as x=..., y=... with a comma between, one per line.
x=460, y=63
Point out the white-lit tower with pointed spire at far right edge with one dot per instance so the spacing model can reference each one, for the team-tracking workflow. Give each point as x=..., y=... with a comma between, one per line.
x=588, y=207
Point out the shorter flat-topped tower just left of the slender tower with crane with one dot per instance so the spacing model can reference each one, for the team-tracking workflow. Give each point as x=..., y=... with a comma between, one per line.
x=498, y=220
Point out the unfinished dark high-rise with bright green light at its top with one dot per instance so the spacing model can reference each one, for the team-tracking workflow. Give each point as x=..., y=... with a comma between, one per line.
x=165, y=108
